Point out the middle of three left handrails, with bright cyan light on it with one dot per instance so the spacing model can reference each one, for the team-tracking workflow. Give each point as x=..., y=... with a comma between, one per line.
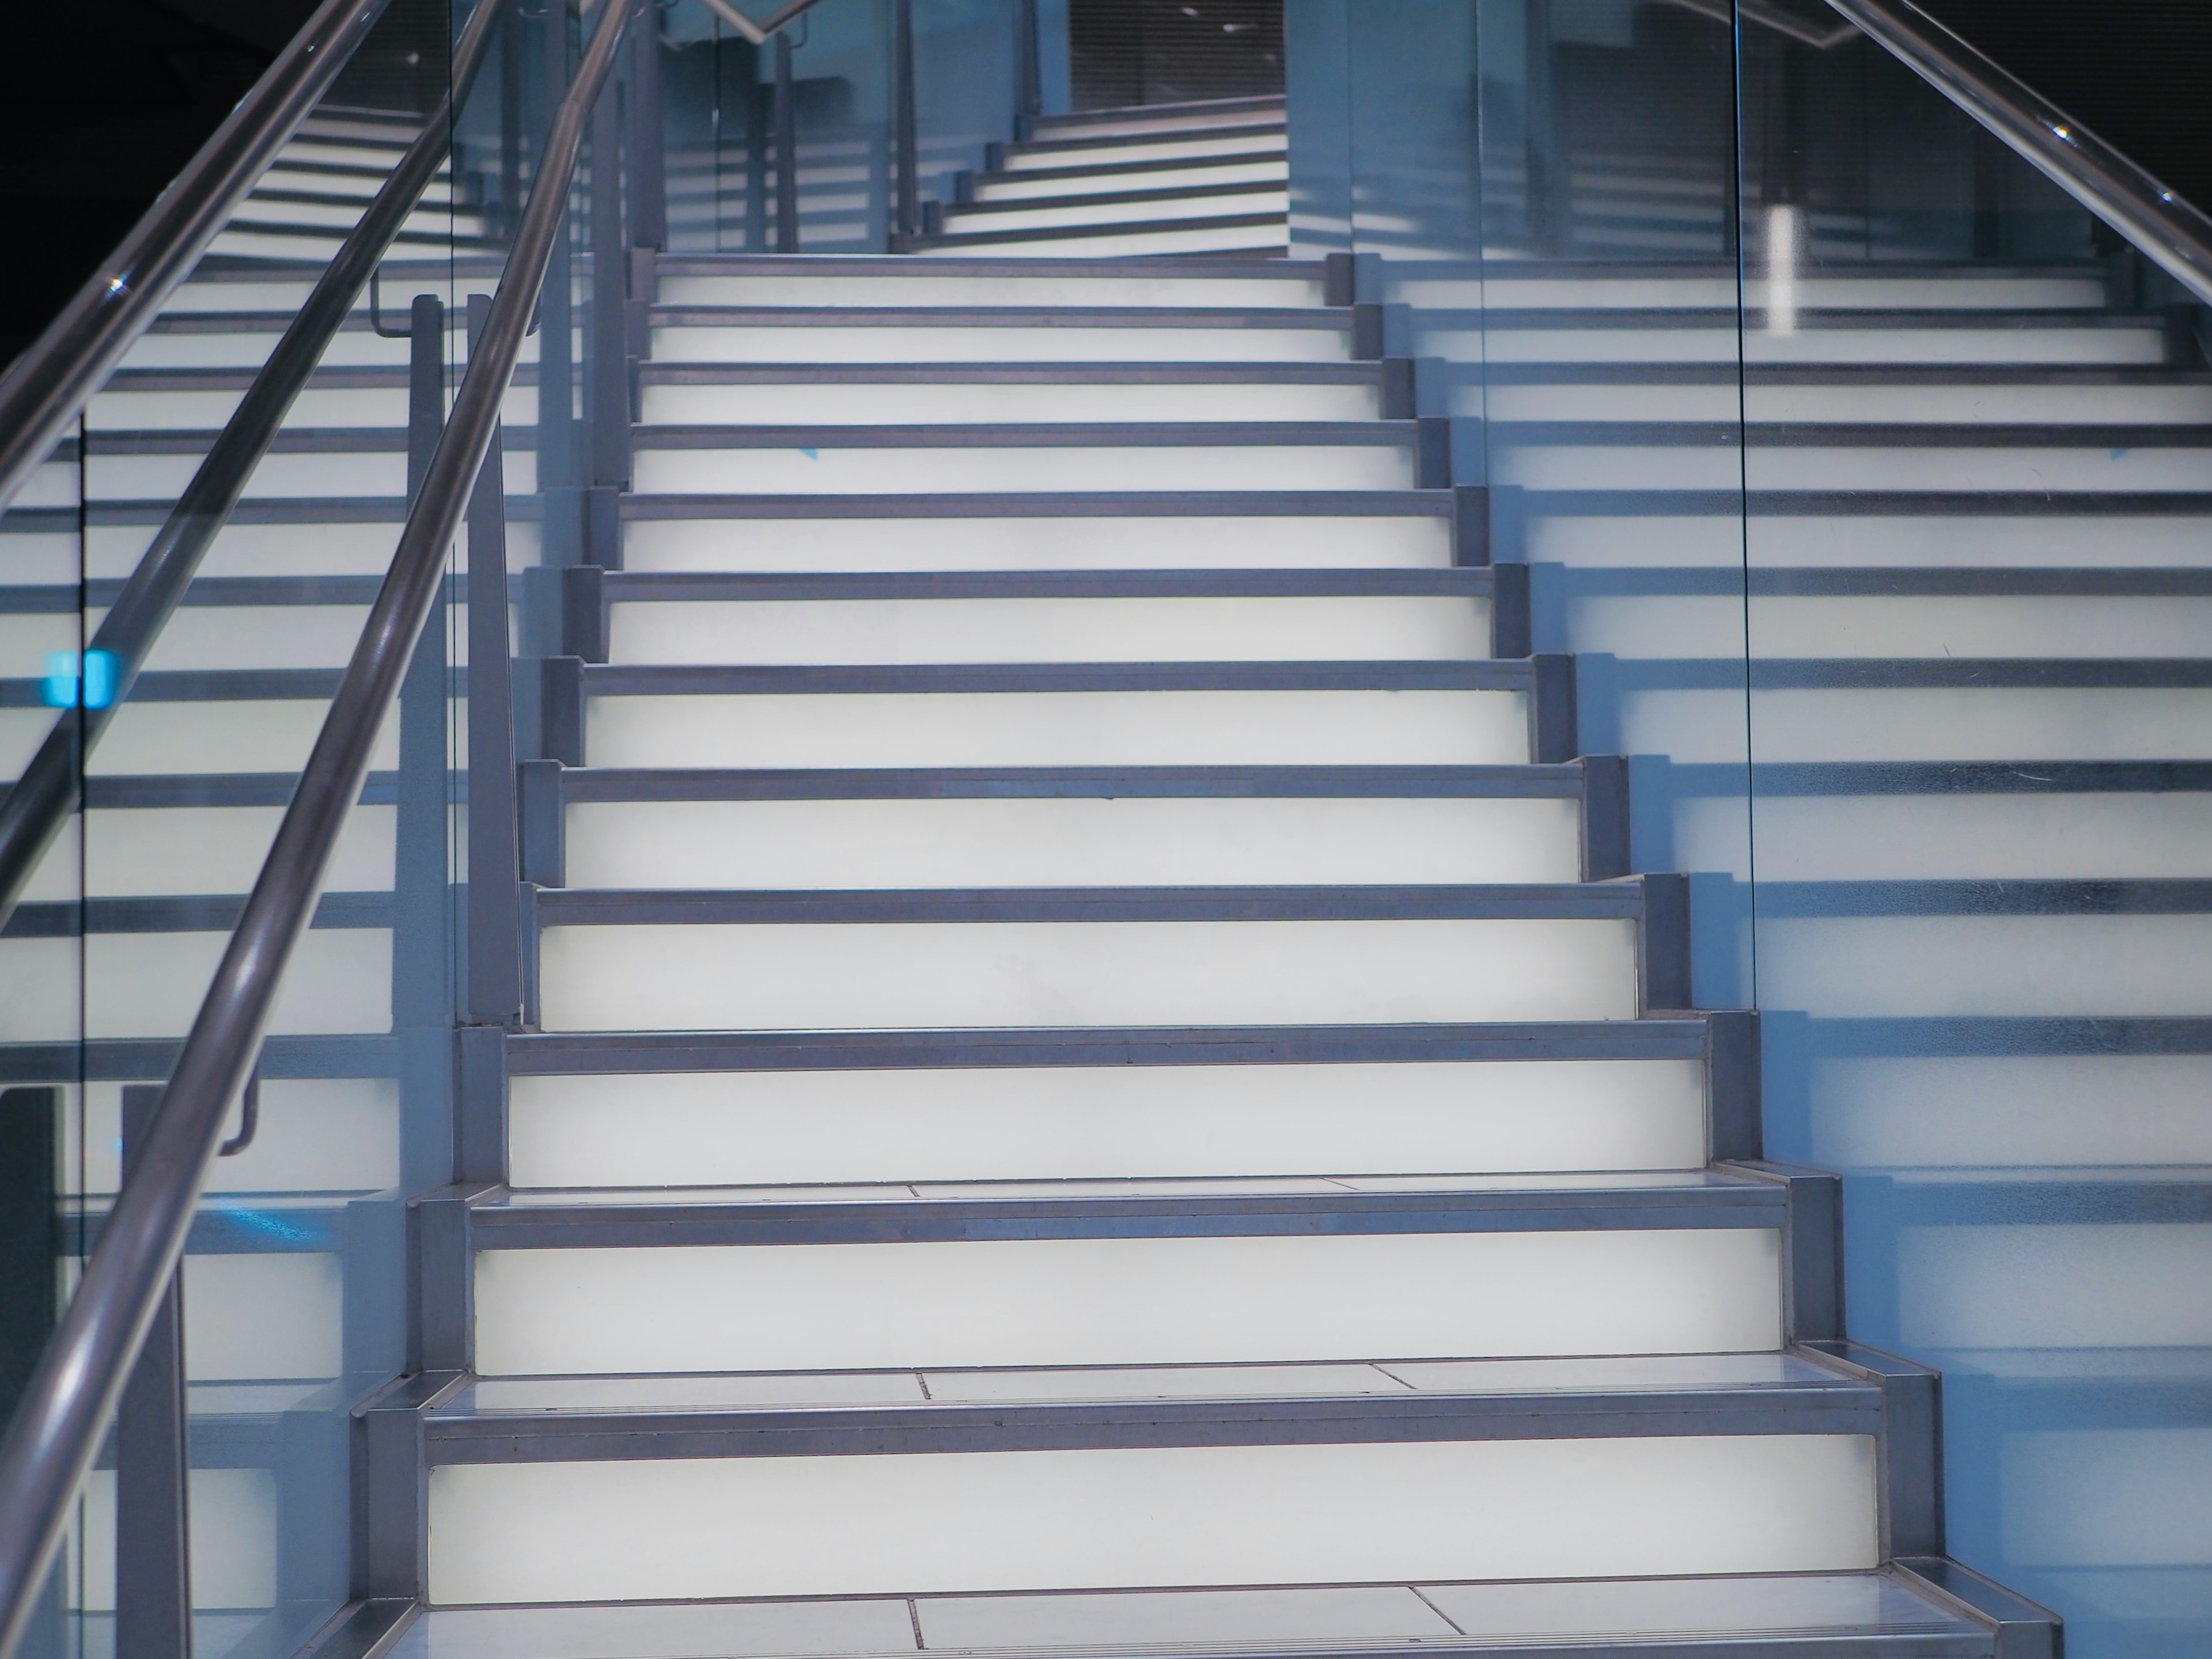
x=39, y=804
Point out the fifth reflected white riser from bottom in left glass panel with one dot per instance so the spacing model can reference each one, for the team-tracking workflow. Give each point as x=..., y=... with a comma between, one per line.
x=136, y=853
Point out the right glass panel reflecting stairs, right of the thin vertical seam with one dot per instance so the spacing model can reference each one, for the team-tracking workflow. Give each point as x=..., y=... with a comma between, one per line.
x=1979, y=616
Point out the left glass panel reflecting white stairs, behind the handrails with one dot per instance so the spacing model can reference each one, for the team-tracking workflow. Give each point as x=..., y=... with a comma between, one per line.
x=293, y=1291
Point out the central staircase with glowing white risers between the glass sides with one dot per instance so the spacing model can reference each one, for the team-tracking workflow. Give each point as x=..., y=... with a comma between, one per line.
x=1096, y=1074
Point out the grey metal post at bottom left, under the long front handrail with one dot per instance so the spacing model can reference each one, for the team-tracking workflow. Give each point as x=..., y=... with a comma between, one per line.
x=154, y=1558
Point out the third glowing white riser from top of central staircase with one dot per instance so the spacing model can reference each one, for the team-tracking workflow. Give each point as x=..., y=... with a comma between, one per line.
x=893, y=404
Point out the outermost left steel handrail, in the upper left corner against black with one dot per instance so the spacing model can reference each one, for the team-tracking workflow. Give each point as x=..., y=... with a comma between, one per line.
x=48, y=386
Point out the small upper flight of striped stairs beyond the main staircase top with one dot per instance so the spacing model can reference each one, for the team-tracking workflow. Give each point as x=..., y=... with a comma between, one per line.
x=1162, y=180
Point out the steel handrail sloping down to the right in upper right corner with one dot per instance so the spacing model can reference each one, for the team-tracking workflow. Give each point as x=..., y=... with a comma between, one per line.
x=2076, y=160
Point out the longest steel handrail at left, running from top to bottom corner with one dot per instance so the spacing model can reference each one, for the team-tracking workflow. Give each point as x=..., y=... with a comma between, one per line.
x=81, y=1377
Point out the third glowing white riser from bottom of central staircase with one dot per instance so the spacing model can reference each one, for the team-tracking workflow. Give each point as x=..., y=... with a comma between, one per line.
x=1120, y=1123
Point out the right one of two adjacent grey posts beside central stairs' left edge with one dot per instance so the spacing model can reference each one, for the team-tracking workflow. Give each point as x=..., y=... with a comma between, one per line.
x=494, y=866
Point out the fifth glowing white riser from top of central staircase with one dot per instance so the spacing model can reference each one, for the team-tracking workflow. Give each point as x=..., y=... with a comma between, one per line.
x=1039, y=543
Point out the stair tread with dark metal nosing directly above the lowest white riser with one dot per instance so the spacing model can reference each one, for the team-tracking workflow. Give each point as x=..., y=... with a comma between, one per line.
x=932, y=1410
